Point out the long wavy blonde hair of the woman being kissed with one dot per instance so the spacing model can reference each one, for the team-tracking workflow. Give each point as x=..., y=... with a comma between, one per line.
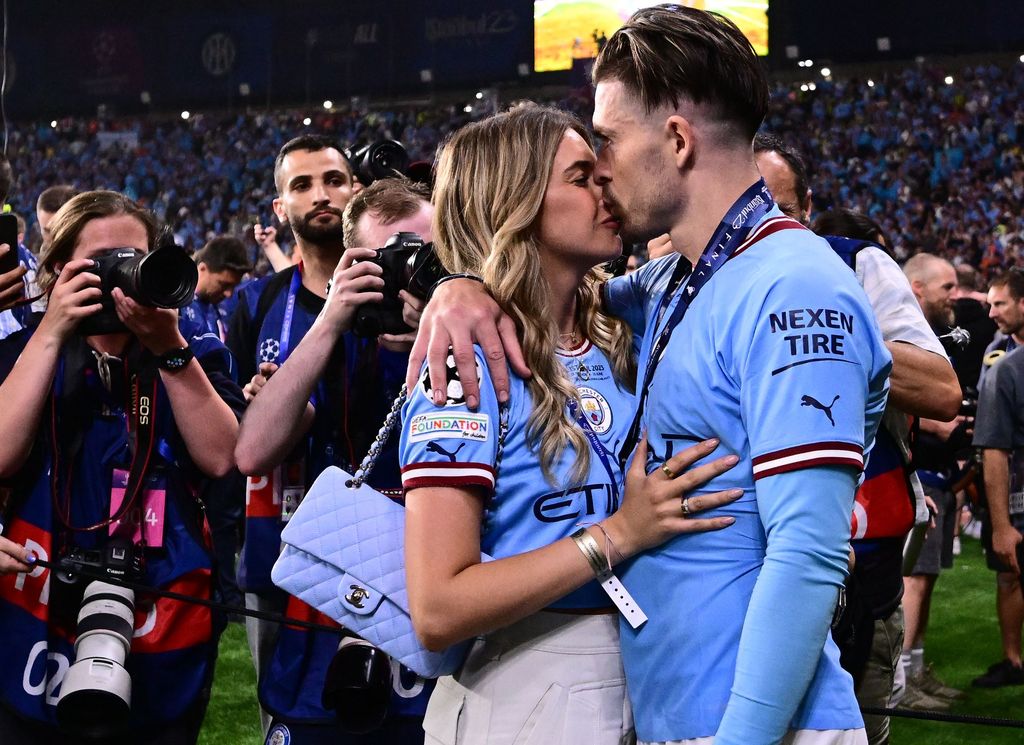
x=490, y=187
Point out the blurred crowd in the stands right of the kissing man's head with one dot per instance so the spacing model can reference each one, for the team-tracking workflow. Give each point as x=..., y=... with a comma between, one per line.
x=937, y=164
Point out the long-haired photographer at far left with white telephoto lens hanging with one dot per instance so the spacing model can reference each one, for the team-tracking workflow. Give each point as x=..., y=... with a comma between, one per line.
x=113, y=415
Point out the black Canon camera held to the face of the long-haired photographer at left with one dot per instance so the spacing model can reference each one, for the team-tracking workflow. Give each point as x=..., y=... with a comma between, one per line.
x=164, y=278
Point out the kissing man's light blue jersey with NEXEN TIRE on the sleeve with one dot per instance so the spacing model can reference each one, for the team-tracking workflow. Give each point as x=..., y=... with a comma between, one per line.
x=780, y=357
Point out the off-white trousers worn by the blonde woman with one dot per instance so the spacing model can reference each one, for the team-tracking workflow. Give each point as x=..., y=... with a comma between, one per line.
x=552, y=679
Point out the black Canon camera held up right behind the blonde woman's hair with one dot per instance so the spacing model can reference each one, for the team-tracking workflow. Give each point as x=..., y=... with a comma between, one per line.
x=409, y=265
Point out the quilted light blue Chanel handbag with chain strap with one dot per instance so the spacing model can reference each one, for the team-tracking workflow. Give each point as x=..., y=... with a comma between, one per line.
x=345, y=555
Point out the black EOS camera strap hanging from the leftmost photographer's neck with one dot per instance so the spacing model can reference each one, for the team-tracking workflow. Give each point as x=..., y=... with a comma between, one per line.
x=68, y=433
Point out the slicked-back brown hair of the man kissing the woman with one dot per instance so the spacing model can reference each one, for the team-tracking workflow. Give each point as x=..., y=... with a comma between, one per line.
x=669, y=54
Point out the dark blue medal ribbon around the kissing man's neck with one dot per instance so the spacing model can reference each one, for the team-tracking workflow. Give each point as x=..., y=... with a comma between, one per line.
x=747, y=212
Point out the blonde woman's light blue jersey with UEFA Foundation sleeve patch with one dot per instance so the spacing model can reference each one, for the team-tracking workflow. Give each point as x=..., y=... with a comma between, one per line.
x=453, y=447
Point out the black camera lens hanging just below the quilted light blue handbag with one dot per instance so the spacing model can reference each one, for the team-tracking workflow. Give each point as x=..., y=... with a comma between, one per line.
x=358, y=686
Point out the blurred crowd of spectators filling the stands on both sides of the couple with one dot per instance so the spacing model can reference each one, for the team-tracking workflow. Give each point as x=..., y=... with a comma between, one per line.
x=937, y=164
